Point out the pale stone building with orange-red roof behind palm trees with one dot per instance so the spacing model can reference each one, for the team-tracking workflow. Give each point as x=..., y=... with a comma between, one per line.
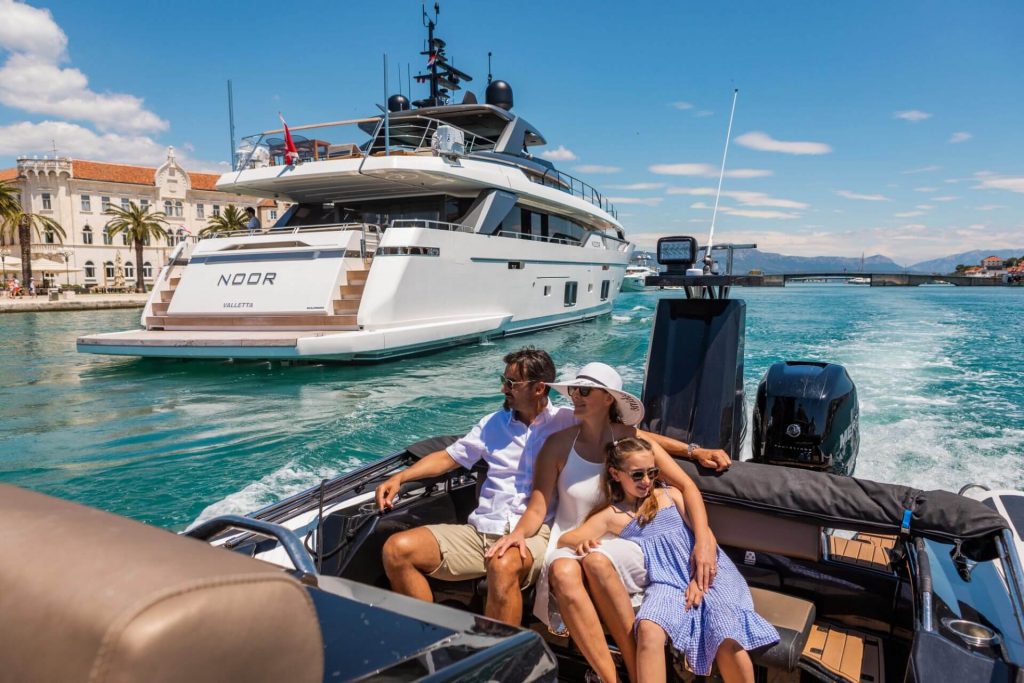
x=75, y=193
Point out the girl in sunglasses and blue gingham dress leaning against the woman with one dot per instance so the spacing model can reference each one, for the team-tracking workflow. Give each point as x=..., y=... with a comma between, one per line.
x=718, y=625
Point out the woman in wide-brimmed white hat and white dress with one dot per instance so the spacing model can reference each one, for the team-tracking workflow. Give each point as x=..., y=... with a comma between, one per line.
x=569, y=469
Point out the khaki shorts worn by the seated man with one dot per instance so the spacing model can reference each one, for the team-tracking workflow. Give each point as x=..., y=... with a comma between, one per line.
x=463, y=547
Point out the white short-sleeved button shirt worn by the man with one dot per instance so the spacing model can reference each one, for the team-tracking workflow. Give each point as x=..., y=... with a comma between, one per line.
x=510, y=449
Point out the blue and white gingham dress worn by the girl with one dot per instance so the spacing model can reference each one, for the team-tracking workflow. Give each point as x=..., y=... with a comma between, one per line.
x=727, y=612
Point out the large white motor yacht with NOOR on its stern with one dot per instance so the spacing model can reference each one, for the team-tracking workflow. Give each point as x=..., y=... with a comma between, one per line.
x=428, y=226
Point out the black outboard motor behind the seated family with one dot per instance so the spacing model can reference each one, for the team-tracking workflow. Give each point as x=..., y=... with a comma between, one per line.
x=806, y=415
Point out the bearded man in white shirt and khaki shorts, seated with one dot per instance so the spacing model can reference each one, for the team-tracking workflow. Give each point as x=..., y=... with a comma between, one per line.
x=508, y=441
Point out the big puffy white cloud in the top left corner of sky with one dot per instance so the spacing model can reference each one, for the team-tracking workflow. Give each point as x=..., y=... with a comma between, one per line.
x=32, y=80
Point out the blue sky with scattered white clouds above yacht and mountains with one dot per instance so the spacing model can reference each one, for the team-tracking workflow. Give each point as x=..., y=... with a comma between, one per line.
x=862, y=127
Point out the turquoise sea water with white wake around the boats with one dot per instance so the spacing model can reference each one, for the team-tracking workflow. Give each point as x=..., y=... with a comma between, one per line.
x=940, y=371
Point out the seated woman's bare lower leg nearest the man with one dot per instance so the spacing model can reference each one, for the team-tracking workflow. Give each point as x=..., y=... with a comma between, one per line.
x=580, y=617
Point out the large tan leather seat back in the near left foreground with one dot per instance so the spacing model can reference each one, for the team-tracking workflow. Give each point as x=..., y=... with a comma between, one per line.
x=91, y=596
